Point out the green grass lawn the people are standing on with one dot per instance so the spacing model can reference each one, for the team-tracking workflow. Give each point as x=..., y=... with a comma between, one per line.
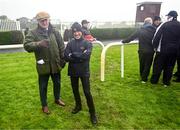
x=121, y=103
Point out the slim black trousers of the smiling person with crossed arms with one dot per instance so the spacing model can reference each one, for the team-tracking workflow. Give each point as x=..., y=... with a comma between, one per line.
x=86, y=89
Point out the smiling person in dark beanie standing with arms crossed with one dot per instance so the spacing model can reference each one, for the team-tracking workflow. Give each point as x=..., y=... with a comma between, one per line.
x=77, y=53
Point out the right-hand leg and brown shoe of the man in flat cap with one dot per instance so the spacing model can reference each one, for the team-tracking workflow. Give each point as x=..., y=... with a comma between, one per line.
x=56, y=78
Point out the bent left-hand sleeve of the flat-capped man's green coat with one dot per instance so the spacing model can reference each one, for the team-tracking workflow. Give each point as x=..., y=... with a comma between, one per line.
x=30, y=44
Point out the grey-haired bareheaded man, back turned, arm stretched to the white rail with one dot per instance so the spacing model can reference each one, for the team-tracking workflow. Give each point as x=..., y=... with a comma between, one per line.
x=146, y=52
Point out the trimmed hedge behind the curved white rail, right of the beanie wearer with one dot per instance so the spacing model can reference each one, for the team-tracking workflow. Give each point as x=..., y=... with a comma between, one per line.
x=112, y=33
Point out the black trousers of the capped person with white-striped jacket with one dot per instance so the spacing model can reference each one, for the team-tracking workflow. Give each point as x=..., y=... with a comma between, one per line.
x=163, y=62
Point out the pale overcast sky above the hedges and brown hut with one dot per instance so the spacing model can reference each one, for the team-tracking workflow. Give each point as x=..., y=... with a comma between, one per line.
x=76, y=10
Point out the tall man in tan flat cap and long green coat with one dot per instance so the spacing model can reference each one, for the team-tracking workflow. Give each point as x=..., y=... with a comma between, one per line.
x=48, y=46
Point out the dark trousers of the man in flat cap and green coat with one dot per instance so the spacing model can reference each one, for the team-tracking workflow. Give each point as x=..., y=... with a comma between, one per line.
x=43, y=84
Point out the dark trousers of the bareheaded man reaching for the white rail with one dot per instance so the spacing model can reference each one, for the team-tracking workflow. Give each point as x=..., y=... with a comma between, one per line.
x=145, y=60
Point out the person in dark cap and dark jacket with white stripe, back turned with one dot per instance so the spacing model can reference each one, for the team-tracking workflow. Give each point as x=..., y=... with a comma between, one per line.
x=165, y=42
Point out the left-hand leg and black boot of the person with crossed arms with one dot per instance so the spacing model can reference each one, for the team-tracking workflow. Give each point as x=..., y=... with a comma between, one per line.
x=75, y=88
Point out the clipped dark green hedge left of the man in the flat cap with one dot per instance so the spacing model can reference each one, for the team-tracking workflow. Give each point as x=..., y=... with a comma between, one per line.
x=11, y=37
